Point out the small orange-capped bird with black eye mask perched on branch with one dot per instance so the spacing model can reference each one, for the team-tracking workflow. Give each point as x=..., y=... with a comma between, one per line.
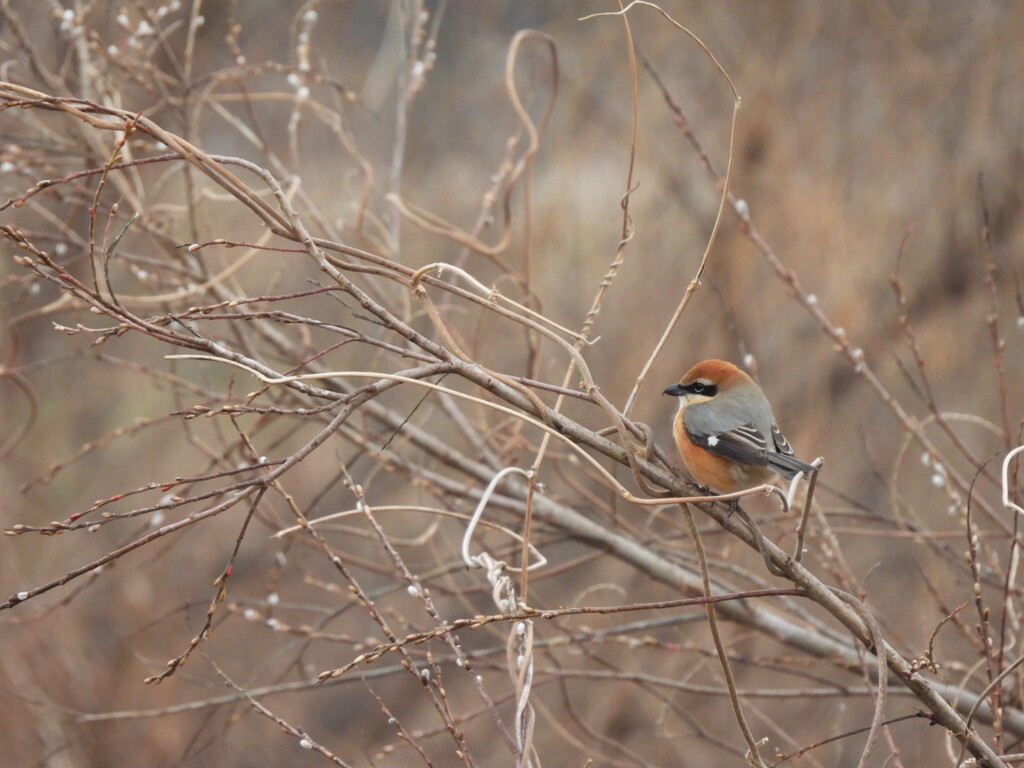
x=726, y=431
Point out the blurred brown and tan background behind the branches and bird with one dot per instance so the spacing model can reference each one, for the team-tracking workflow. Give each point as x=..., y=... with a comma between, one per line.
x=864, y=130
